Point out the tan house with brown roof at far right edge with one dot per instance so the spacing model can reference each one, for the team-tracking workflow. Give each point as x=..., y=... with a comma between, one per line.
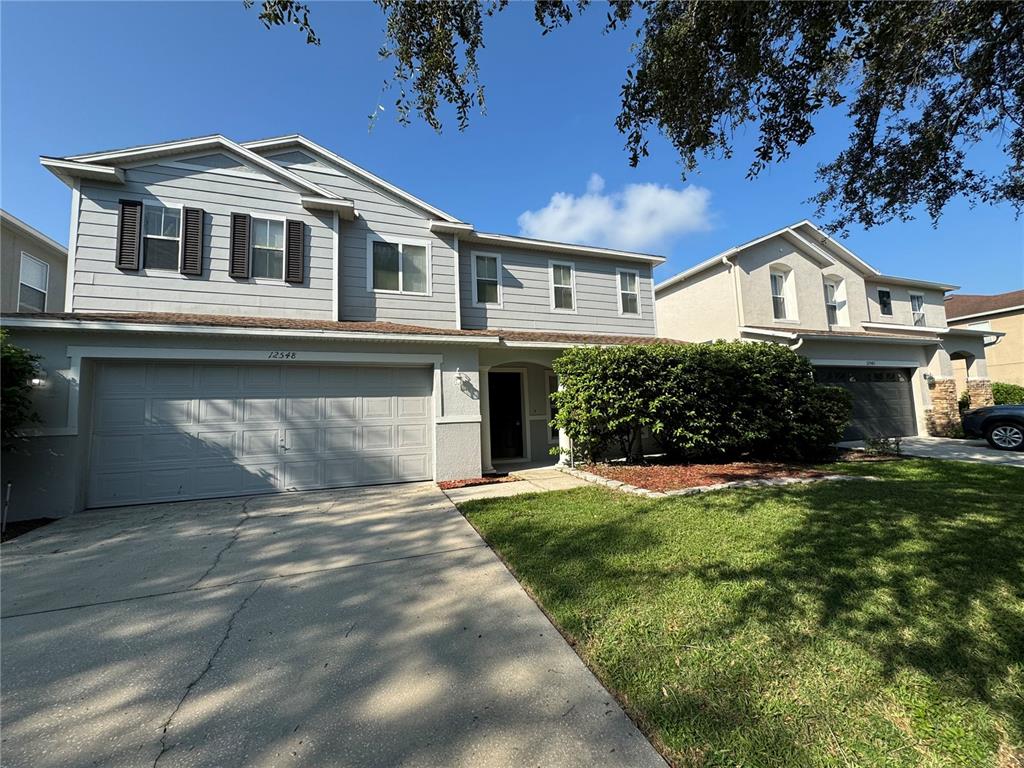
x=1003, y=313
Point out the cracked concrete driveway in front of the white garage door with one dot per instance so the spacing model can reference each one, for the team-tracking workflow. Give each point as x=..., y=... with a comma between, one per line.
x=349, y=628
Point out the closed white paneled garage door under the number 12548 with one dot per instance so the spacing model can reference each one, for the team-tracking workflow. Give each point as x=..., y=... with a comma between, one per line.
x=172, y=431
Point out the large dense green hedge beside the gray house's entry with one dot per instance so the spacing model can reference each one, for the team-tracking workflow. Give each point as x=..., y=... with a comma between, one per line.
x=718, y=401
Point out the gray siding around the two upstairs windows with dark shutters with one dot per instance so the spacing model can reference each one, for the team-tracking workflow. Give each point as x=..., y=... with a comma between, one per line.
x=220, y=192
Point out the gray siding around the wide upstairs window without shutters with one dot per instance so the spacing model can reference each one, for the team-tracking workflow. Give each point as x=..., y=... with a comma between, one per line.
x=382, y=216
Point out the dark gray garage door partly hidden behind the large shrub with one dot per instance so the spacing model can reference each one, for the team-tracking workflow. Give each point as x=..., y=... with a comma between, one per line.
x=883, y=401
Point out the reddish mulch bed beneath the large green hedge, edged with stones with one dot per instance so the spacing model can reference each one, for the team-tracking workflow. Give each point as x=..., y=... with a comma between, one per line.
x=665, y=478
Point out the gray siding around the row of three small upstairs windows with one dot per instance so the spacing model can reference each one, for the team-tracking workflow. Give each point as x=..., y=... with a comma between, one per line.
x=527, y=295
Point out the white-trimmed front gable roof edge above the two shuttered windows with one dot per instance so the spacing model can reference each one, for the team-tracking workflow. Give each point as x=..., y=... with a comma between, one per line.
x=100, y=164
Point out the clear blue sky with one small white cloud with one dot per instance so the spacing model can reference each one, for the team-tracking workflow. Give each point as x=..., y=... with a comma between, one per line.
x=545, y=160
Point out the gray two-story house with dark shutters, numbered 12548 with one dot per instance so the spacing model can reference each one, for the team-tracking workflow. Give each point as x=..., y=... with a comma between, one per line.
x=247, y=319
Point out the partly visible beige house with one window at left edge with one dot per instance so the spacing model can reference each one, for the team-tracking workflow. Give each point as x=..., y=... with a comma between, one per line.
x=32, y=269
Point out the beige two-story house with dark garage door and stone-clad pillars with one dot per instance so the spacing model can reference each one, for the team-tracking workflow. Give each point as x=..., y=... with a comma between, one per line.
x=883, y=338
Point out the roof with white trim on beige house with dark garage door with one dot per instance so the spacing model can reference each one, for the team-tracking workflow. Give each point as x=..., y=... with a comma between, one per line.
x=815, y=243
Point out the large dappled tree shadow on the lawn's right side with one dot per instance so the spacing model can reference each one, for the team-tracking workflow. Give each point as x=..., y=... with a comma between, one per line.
x=924, y=574
